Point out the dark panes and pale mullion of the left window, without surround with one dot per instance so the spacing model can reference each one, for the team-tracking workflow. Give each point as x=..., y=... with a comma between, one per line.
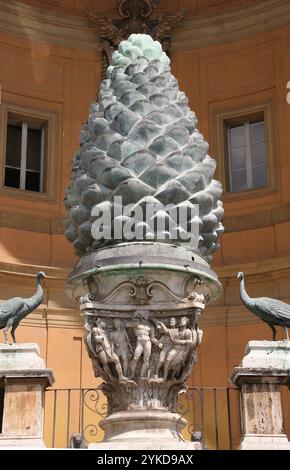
x=25, y=149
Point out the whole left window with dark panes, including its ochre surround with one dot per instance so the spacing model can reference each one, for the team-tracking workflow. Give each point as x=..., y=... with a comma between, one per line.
x=29, y=152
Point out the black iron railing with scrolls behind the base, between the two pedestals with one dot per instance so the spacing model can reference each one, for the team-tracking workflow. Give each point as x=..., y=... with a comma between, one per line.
x=211, y=412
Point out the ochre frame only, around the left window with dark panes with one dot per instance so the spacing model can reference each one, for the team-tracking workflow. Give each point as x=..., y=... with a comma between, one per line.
x=50, y=151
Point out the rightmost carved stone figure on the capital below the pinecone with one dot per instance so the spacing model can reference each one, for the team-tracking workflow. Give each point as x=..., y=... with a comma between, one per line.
x=181, y=345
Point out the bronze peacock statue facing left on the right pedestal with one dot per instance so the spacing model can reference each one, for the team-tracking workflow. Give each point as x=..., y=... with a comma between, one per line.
x=271, y=311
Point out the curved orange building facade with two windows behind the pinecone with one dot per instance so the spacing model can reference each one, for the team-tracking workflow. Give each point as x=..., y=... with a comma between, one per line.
x=231, y=58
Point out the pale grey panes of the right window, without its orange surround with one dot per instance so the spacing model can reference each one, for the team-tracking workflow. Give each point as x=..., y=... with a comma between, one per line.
x=247, y=154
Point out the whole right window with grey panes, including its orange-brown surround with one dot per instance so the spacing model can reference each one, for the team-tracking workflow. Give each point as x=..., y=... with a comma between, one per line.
x=243, y=141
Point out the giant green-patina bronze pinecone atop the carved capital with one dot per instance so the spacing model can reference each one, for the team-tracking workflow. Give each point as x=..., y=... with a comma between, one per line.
x=141, y=143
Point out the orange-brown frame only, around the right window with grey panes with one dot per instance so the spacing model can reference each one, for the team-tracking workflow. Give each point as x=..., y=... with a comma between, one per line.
x=221, y=120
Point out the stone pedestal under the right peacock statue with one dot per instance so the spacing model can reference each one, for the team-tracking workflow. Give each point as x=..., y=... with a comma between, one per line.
x=264, y=368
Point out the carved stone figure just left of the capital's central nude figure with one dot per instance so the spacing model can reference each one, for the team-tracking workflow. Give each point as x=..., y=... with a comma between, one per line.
x=121, y=344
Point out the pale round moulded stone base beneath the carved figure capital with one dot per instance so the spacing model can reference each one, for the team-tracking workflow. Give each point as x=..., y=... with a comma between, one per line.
x=147, y=429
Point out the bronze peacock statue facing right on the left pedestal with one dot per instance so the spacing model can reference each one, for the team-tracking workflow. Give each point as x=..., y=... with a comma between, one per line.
x=12, y=311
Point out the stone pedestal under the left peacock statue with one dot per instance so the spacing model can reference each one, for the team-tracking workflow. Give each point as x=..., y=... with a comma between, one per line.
x=23, y=378
